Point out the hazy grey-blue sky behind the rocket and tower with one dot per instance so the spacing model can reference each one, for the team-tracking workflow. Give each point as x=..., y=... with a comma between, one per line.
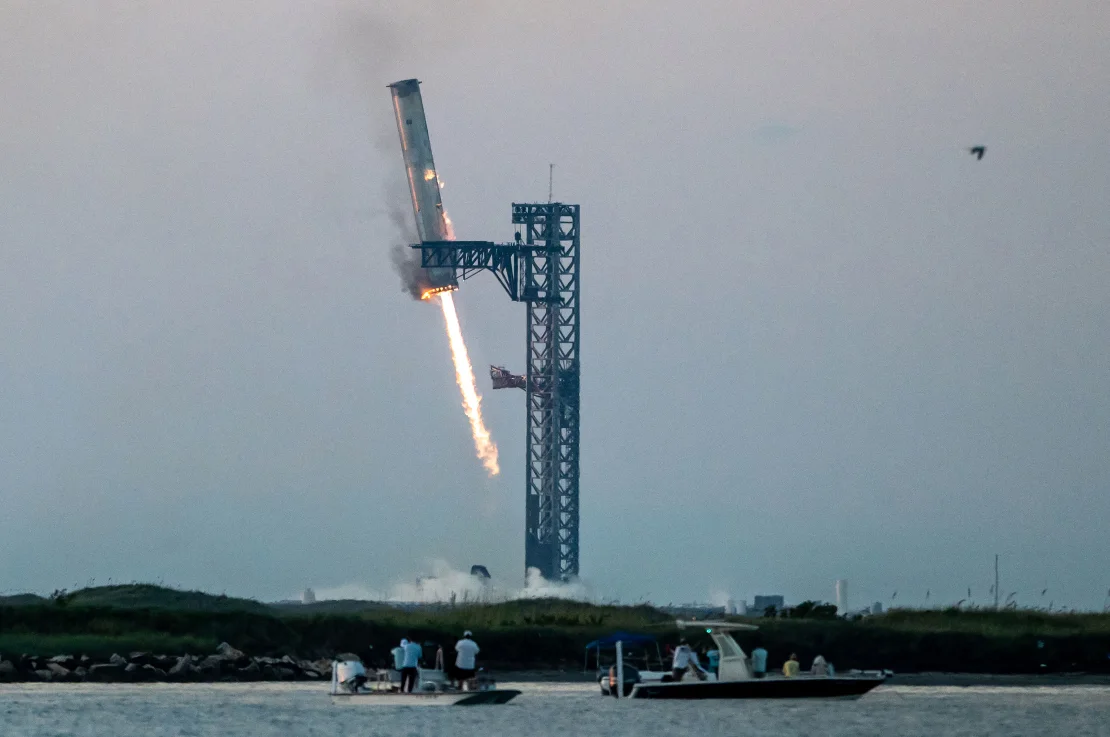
x=820, y=339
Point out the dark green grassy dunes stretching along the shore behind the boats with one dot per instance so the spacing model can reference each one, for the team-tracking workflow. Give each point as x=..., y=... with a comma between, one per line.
x=540, y=634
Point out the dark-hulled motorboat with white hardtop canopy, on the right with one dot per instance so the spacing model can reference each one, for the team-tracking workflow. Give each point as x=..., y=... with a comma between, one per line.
x=734, y=679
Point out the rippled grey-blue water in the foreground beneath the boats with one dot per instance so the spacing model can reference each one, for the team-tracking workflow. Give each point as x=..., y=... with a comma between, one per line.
x=544, y=711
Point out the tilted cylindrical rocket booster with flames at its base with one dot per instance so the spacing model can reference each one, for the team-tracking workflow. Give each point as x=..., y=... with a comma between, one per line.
x=432, y=223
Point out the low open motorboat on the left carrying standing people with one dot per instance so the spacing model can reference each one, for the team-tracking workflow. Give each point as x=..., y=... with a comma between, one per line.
x=352, y=685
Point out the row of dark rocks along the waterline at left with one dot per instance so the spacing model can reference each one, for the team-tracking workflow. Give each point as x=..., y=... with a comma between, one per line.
x=227, y=664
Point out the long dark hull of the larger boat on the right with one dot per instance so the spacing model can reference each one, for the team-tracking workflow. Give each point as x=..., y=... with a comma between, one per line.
x=760, y=689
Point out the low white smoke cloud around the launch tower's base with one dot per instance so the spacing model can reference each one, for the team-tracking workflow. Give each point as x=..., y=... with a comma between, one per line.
x=447, y=584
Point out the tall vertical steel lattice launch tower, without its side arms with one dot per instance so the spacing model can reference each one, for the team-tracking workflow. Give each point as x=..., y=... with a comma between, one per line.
x=551, y=289
